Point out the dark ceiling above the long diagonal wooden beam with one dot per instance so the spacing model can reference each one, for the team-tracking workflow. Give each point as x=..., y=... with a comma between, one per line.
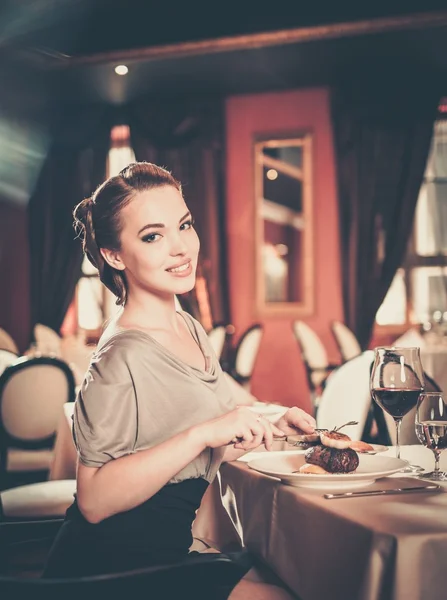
x=87, y=27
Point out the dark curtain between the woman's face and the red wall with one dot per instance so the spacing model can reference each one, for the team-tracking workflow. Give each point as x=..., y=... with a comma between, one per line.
x=186, y=137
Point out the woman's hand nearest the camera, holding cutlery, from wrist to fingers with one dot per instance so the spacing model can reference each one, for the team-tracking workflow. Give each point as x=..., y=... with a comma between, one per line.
x=241, y=427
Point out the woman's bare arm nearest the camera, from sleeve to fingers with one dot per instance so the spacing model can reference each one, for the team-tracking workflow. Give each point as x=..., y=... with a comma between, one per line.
x=126, y=482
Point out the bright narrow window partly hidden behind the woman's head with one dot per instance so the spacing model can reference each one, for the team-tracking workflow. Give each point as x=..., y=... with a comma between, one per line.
x=94, y=302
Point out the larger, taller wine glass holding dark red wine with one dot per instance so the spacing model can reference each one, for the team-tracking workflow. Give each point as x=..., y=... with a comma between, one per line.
x=397, y=379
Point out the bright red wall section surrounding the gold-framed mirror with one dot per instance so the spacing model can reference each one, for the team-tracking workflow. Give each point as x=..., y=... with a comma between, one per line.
x=279, y=374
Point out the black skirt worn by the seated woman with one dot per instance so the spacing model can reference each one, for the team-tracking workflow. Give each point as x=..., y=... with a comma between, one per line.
x=154, y=533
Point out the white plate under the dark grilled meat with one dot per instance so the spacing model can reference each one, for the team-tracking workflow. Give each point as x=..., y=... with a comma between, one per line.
x=370, y=468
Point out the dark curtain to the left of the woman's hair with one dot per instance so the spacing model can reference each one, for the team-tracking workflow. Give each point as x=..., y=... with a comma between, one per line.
x=74, y=166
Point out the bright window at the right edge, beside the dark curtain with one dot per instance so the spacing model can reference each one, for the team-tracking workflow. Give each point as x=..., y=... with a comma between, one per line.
x=418, y=293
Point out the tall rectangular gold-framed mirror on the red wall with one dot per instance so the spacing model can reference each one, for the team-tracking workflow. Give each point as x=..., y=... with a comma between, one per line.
x=284, y=250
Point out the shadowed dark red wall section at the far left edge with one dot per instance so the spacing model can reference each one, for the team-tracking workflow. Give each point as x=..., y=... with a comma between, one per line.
x=14, y=273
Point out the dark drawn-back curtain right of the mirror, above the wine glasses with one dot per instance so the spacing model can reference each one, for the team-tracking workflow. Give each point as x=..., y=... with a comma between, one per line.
x=382, y=131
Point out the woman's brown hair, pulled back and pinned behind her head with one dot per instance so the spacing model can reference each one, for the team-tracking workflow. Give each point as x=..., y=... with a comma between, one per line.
x=97, y=219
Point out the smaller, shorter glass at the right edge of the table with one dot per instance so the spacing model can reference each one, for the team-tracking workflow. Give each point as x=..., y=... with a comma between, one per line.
x=431, y=429
